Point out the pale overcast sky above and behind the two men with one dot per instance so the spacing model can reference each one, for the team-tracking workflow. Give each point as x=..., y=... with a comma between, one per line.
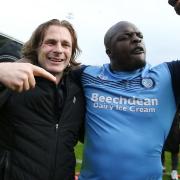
x=156, y=19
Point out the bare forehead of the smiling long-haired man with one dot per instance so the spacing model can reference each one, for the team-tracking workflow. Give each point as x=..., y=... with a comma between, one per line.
x=58, y=33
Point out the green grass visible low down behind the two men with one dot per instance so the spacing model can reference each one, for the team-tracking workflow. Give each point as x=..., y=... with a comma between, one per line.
x=79, y=149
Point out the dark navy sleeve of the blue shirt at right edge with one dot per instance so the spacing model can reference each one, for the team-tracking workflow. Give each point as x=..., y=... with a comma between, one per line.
x=174, y=68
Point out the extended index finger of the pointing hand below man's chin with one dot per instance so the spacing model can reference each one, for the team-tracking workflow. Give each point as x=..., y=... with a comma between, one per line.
x=38, y=71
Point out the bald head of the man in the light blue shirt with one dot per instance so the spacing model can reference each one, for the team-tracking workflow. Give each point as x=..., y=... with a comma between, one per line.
x=125, y=47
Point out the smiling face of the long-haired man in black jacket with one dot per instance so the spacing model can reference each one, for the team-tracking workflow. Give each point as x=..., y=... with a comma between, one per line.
x=55, y=51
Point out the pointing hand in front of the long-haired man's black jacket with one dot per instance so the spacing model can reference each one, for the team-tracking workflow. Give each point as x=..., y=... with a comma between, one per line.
x=20, y=76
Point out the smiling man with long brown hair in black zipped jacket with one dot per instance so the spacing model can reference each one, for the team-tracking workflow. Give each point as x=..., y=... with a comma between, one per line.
x=40, y=126
